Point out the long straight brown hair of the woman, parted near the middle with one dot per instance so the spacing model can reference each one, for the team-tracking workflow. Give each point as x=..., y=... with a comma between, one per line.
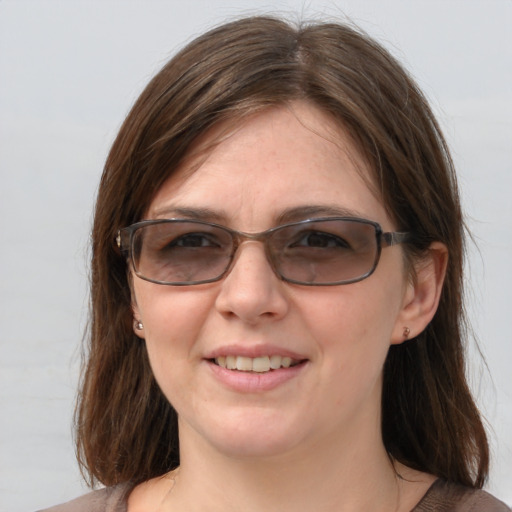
x=126, y=429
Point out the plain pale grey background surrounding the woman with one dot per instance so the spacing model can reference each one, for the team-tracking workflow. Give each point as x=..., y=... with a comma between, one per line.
x=70, y=70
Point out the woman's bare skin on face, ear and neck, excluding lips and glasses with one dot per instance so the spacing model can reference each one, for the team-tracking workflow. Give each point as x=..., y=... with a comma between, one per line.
x=312, y=442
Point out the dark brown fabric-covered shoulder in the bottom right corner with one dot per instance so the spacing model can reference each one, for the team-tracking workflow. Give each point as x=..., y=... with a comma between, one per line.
x=451, y=497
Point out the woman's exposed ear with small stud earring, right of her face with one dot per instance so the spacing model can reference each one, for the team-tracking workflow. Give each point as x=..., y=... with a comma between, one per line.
x=422, y=294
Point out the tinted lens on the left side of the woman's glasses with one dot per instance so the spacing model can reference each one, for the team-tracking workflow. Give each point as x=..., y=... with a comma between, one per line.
x=181, y=252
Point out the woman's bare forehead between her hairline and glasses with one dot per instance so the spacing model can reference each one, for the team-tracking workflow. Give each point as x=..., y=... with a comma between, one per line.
x=282, y=158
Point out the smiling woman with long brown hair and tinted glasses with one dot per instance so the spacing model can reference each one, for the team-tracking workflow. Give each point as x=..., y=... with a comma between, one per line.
x=277, y=252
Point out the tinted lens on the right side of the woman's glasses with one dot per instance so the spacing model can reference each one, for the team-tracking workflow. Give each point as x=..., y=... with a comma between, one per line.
x=324, y=252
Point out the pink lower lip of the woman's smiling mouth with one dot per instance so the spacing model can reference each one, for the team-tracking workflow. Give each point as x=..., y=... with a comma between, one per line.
x=254, y=382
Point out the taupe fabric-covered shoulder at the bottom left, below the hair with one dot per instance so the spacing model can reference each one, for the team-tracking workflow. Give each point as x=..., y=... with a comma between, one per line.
x=109, y=499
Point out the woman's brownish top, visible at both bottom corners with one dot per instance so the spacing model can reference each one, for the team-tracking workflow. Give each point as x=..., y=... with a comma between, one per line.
x=441, y=497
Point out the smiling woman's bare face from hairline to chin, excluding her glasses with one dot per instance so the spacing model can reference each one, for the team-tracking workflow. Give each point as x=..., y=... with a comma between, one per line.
x=275, y=165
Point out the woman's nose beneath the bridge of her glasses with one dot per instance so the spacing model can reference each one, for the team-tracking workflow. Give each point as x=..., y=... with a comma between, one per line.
x=251, y=290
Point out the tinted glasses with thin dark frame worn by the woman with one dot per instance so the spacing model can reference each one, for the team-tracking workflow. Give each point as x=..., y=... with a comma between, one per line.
x=313, y=252
